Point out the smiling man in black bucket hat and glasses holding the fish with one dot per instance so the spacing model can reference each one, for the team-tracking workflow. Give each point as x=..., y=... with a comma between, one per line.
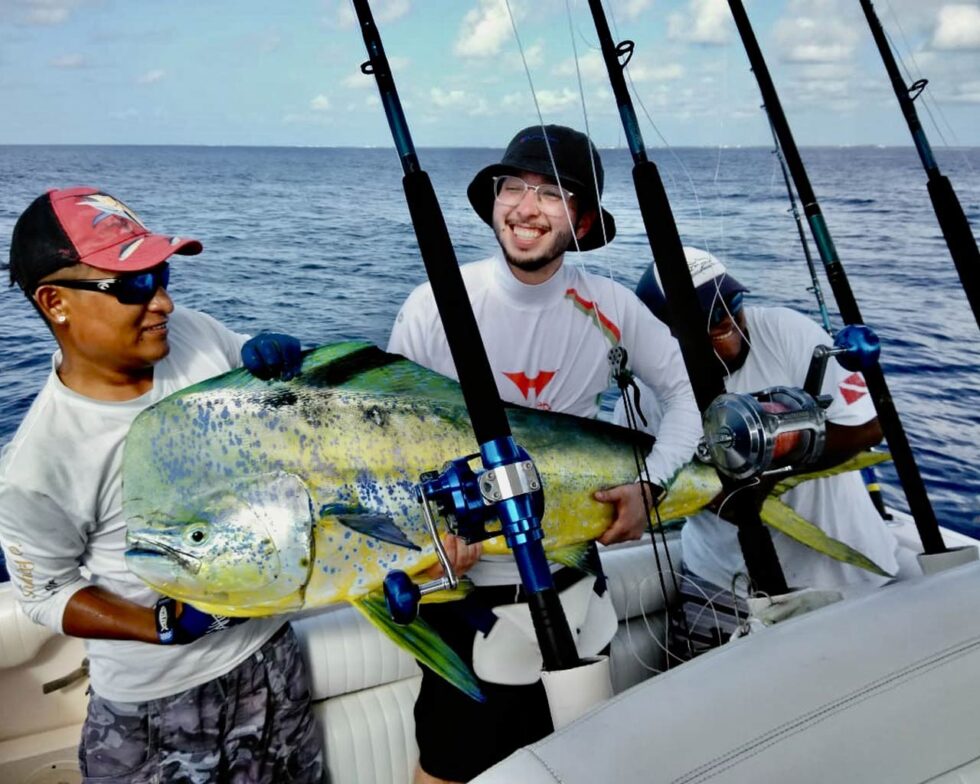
x=548, y=328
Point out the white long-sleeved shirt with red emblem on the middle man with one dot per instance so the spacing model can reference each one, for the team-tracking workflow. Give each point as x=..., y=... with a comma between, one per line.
x=548, y=346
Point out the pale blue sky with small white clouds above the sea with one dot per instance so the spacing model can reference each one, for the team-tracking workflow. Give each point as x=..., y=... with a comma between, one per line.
x=242, y=72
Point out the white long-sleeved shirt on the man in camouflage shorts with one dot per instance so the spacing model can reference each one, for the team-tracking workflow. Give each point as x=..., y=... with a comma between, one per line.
x=62, y=526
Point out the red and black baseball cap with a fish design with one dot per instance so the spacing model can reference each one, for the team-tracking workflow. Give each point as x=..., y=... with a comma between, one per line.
x=85, y=226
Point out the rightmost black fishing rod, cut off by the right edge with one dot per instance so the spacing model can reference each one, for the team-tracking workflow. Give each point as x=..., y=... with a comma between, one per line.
x=955, y=227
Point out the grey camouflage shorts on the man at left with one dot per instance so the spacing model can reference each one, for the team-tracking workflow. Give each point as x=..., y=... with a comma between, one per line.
x=253, y=724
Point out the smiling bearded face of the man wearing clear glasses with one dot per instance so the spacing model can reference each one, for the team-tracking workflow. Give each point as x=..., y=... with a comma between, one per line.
x=534, y=241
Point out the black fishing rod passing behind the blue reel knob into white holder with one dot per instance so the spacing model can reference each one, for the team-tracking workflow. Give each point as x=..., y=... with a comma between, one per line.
x=905, y=466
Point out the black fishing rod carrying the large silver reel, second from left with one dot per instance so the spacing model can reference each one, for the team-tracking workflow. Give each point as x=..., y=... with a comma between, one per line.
x=760, y=556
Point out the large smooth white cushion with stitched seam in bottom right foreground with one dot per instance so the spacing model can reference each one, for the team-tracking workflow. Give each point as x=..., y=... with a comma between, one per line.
x=877, y=688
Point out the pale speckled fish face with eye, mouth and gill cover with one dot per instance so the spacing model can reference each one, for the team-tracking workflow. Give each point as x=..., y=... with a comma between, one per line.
x=244, y=544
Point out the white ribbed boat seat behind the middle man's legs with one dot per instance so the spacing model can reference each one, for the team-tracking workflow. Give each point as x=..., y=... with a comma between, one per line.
x=364, y=686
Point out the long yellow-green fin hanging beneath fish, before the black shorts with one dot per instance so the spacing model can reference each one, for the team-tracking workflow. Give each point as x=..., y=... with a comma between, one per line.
x=422, y=642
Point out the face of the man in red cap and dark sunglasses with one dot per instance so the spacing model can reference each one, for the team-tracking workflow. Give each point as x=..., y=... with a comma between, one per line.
x=109, y=348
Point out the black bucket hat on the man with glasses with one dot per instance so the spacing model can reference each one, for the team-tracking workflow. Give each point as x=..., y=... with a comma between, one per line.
x=528, y=152
